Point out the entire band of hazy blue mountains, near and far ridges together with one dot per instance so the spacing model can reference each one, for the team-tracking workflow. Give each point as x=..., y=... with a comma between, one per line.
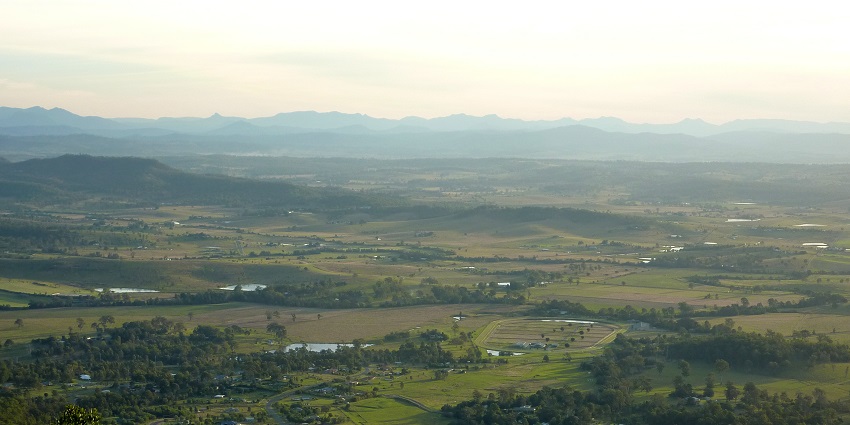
x=37, y=132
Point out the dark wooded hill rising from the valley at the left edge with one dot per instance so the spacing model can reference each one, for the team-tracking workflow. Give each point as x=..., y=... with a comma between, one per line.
x=146, y=182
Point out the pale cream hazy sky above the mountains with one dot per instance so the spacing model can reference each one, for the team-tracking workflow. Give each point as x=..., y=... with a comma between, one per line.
x=643, y=61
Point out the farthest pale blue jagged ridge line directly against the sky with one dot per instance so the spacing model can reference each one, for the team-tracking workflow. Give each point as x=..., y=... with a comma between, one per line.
x=38, y=120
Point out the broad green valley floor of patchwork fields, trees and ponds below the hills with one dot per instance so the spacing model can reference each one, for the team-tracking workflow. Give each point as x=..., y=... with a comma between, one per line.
x=492, y=294
